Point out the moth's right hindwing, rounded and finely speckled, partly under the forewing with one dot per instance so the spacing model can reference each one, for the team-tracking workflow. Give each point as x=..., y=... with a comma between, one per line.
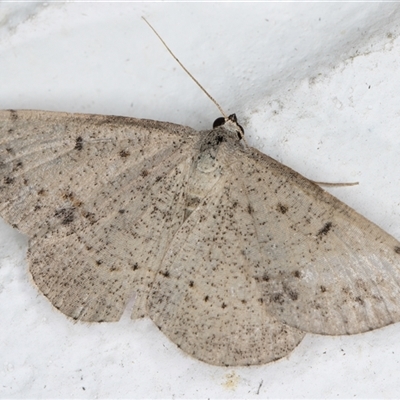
x=204, y=297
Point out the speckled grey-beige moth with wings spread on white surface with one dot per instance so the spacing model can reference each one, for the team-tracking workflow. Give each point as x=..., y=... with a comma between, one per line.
x=234, y=256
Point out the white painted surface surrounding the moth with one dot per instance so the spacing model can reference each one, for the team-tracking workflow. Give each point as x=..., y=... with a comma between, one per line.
x=315, y=85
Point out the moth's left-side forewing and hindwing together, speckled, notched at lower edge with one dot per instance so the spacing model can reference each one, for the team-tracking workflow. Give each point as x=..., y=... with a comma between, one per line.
x=100, y=198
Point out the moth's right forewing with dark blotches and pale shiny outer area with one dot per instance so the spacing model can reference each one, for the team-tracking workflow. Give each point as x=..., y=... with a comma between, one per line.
x=325, y=268
